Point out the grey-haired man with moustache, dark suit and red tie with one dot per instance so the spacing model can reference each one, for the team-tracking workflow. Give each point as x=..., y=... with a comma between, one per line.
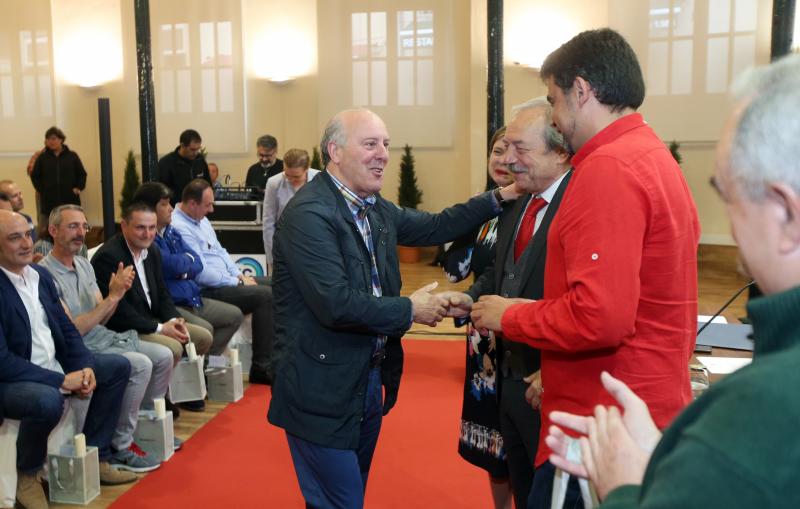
x=539, y=160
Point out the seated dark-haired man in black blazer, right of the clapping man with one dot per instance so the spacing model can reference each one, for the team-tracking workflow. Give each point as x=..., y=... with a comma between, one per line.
x=147, y=307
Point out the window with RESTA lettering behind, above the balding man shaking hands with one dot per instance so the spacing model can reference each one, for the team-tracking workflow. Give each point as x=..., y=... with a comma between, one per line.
x=407, y=64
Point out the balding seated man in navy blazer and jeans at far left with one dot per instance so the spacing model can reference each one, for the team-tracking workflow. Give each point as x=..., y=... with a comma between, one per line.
x=43, y=359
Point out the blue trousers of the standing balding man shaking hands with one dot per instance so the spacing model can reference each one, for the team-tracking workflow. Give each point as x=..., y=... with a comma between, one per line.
x=337, y=478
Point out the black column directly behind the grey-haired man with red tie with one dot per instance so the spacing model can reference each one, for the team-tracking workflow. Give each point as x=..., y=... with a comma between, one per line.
x=495, y=90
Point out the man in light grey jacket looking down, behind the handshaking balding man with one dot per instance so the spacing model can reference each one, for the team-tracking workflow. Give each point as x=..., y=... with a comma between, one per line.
x=280, y=189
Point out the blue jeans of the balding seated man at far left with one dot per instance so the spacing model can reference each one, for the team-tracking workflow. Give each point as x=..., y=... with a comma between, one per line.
x=38, y=407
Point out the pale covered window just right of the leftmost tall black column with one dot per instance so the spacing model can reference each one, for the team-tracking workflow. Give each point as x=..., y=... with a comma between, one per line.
x=199, y=74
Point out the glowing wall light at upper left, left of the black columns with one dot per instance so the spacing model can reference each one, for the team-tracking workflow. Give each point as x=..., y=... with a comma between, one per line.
x=87, y=41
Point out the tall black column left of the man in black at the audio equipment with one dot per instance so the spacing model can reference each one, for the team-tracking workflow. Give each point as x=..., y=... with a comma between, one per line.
x=147, y=104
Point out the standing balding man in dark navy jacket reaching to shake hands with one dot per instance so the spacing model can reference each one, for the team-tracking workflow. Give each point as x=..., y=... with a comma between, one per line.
x=338, y=311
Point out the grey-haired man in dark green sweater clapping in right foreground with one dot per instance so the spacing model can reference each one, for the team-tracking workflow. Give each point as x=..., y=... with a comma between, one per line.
x=736, y=446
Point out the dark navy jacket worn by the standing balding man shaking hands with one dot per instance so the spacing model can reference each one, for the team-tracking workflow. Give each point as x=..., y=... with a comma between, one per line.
x=326, y=317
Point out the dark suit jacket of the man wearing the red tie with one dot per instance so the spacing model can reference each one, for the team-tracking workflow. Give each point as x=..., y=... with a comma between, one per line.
x=489, y=283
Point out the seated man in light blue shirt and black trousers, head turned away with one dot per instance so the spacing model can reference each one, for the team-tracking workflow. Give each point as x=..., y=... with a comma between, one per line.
x=221, y=278
